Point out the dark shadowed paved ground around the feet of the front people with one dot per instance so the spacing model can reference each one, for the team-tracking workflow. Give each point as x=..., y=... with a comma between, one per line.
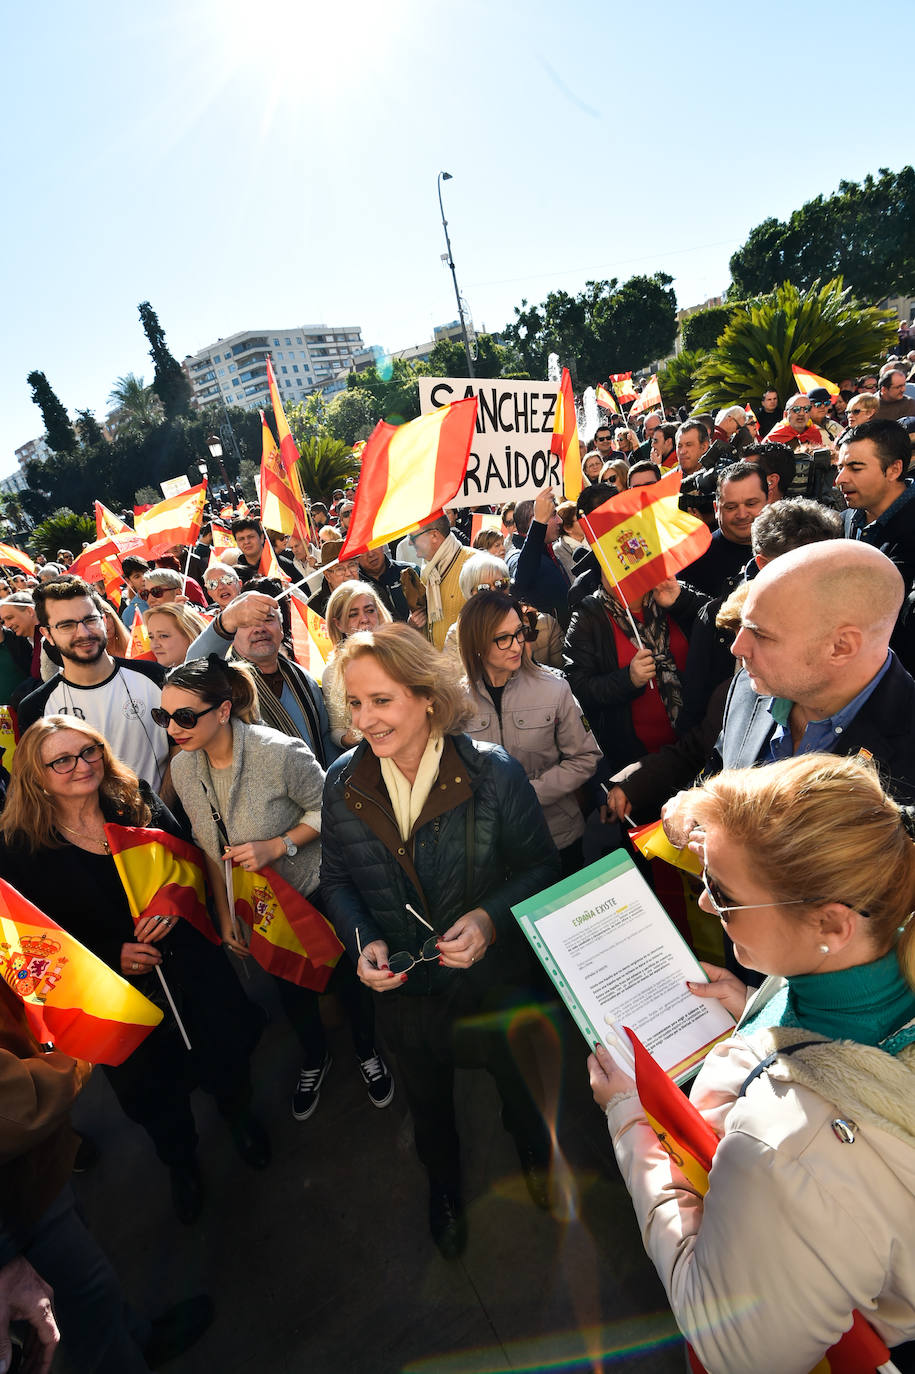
x=324, y=1263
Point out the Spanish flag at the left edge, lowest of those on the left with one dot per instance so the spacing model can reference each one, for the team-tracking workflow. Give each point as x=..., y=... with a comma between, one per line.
x=72, y=1000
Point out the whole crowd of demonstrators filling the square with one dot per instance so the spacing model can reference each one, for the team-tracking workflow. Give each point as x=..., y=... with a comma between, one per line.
x=490, y=718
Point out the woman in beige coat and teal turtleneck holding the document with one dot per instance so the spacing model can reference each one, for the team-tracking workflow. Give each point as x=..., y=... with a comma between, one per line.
x=811, y=1206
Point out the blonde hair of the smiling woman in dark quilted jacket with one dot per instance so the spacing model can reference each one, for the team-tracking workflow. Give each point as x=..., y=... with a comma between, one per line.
x=406, y=656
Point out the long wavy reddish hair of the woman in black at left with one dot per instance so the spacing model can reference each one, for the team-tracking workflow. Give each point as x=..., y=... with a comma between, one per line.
x=28, y=817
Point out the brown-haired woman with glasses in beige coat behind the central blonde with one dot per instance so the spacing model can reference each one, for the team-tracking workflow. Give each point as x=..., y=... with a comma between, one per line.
x=531, y=712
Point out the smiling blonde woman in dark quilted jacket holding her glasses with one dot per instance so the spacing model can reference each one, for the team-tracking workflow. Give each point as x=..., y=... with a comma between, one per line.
x=428, y=842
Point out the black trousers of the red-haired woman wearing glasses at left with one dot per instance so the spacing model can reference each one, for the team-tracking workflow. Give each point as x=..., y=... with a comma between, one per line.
x=155, y=1086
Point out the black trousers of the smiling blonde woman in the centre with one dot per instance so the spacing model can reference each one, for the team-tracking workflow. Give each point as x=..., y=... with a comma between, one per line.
x=431, y=1037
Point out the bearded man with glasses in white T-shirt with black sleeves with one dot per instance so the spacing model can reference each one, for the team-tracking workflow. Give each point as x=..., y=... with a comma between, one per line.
x=113, y=695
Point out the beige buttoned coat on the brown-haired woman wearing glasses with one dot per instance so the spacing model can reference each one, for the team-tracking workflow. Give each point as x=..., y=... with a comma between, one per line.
x=545, y=730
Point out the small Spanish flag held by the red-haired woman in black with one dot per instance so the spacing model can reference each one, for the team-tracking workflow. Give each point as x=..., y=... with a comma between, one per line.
x=161, y=875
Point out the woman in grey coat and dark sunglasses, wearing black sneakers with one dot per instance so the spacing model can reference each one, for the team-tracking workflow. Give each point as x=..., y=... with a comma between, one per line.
x=255, y=796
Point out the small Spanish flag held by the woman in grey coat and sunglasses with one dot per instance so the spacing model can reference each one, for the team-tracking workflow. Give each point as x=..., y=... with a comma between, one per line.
x=289, y=936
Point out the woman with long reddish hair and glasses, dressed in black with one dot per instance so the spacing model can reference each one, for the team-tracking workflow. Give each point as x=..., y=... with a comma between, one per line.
x=65, y=785
